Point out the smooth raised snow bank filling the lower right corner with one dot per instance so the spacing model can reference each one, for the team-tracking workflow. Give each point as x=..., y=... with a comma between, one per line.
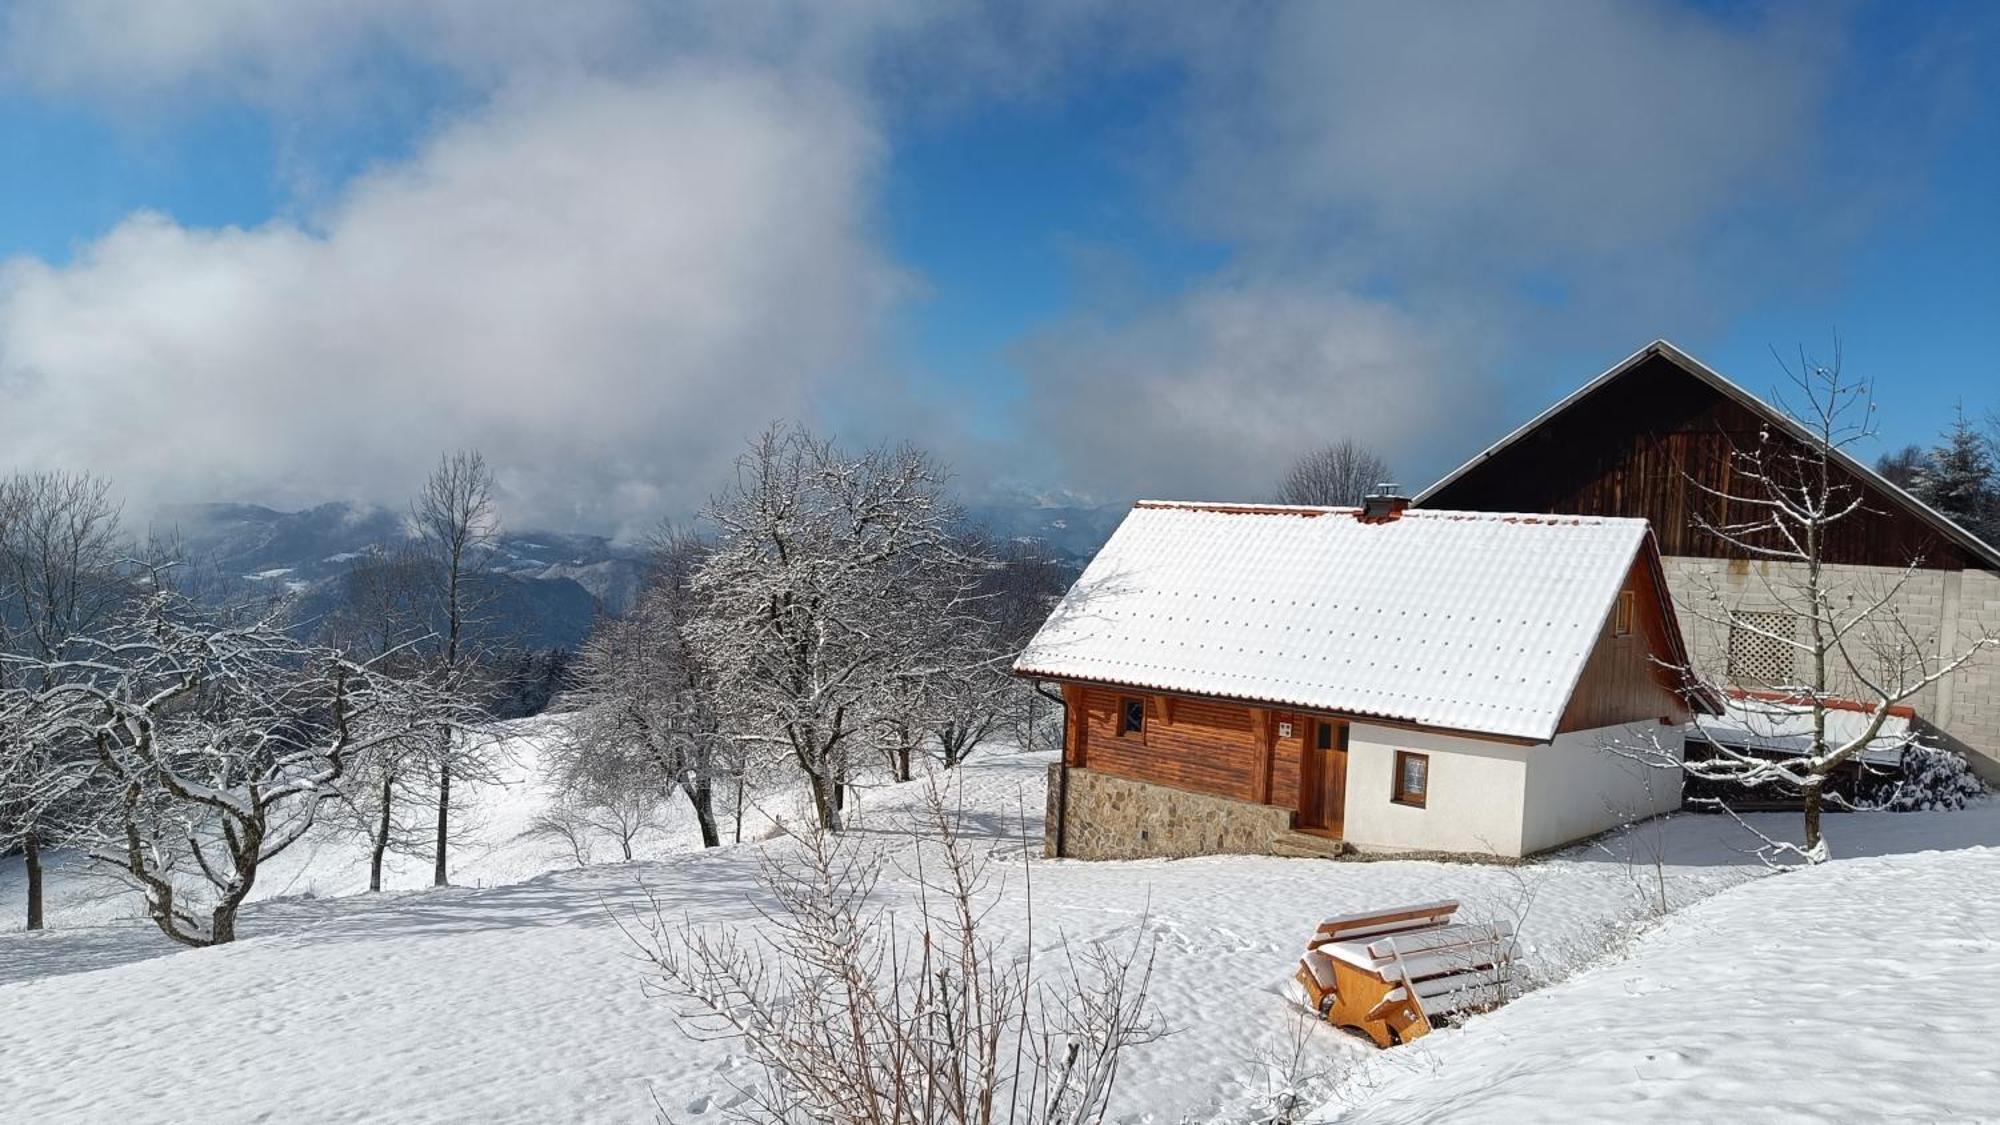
x=1851, y=992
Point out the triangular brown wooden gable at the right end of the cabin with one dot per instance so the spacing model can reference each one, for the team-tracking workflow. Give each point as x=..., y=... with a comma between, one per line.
x=1625, y=682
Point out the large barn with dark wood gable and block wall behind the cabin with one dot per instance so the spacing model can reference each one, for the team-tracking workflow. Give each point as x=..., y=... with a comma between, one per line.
x=1651, y=439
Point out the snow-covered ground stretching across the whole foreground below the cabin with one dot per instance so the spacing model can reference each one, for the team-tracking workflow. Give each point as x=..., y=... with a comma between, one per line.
x=515, y=996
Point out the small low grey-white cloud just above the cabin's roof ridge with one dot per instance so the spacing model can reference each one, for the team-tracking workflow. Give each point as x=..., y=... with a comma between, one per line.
x=1217, y=393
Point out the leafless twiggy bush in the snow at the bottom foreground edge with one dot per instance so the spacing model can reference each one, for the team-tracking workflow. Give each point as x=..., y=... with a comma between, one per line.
x=863, y=1014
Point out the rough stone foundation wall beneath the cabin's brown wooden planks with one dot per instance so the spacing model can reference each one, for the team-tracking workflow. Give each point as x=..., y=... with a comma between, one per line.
x=1115, y=818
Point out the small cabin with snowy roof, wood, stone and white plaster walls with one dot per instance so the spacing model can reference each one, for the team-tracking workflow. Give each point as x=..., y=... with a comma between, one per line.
x=1281, y=680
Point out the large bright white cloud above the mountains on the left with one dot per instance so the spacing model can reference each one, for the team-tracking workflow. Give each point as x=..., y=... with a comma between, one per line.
x=605, y=285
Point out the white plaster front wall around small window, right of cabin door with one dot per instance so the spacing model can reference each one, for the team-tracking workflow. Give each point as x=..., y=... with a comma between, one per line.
x=1475, y=802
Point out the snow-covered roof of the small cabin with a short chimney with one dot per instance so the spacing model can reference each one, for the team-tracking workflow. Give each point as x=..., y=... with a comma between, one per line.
x=1465, y=622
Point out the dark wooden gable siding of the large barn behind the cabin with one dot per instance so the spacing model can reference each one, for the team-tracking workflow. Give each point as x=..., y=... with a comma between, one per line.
x=1643, y=445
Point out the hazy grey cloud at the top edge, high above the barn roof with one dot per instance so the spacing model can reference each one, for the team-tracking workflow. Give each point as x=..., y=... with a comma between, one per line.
x=1529, y=133
